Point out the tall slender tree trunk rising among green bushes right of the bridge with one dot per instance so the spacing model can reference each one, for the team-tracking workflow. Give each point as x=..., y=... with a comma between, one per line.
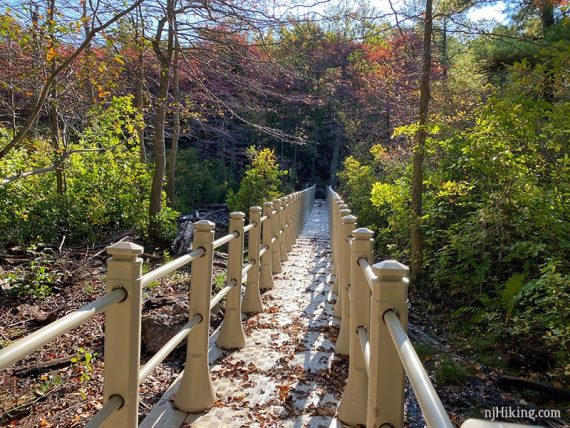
x=419, y=149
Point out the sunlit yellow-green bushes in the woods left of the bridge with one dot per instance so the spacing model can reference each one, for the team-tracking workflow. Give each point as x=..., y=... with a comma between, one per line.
x=106, y=184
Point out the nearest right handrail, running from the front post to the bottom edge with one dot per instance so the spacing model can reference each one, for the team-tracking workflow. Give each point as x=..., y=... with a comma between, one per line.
x=432, y=408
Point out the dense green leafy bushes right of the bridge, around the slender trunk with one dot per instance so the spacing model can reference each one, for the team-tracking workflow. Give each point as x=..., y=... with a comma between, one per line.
x=494, y=207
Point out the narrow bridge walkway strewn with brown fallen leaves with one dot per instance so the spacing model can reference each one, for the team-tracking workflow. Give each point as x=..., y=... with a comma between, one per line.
x=287, y=374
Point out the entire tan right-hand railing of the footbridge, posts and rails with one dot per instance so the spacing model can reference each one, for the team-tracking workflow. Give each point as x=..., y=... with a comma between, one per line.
x=372, y=303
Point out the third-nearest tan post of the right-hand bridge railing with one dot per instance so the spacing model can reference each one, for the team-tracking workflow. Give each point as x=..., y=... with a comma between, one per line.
x=342, y=345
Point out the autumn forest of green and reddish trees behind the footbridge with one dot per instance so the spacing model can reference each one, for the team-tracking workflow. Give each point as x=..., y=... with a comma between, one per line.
x=119, y=118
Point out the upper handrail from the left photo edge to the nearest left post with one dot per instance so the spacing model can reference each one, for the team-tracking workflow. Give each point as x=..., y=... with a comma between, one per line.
x=43, y=336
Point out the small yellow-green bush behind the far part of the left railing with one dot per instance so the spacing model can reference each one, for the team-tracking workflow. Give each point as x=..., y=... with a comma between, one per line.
x=261, y=182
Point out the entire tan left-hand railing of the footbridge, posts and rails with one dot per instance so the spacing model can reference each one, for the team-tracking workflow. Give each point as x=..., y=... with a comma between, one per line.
x=270, y=237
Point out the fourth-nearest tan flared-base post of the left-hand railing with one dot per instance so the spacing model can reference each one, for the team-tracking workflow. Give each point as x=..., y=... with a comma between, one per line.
x=252, y=299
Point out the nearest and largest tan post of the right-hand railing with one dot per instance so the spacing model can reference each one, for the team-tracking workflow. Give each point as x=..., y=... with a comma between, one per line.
x=386, y=380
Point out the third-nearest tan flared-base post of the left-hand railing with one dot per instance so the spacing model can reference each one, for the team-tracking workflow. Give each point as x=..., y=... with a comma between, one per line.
x=231, y=332
